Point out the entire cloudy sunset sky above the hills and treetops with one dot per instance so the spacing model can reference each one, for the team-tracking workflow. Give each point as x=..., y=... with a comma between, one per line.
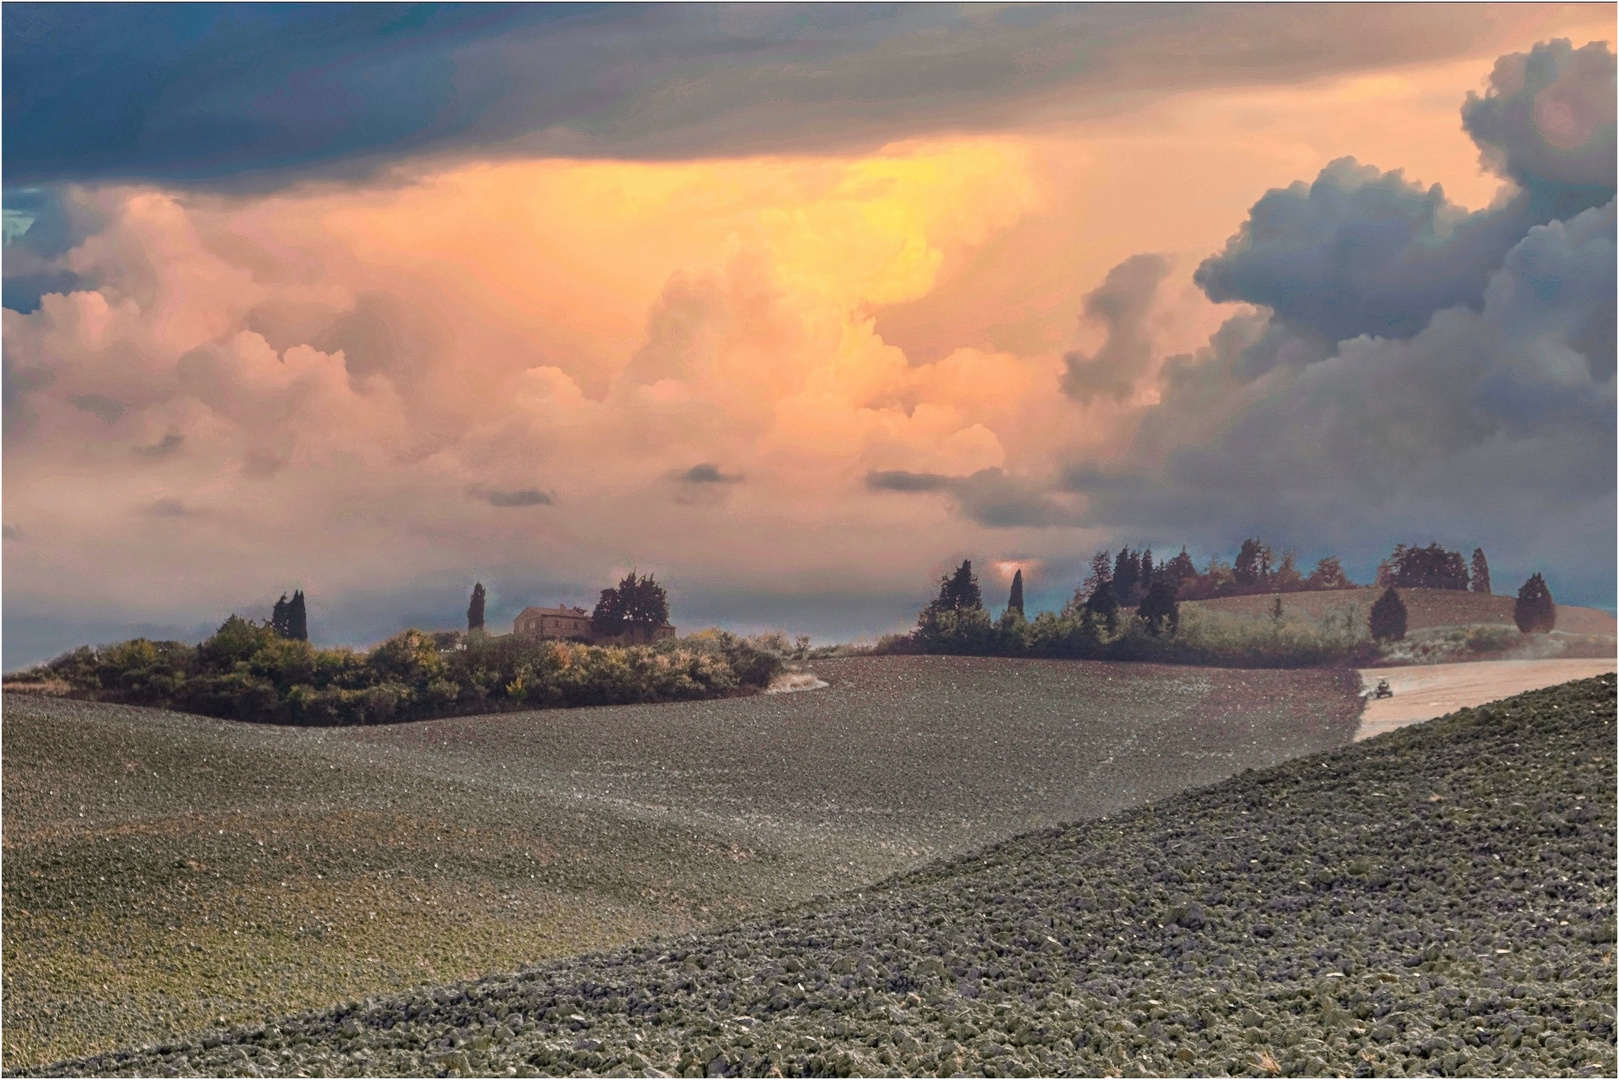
x=791, y=307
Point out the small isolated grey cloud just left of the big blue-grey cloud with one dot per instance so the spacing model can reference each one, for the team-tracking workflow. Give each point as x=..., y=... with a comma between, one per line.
x=1121, y=304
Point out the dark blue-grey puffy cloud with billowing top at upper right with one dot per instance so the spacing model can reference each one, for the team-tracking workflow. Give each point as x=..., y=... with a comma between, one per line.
x=1367, y=252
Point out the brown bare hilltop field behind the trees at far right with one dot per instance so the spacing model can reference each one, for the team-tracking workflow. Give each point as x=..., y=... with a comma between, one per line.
x=1426, y=610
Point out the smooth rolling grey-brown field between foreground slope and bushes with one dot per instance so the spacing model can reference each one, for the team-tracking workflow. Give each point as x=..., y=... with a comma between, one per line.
x=169, y=874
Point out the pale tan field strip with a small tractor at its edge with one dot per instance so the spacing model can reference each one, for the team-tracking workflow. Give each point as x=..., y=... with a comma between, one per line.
x=1422, y=694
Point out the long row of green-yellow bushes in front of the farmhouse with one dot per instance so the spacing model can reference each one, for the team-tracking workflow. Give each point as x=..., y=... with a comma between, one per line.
x=250, y=673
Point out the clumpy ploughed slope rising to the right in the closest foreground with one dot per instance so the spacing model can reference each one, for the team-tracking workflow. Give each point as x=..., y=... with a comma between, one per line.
x=1435, y=901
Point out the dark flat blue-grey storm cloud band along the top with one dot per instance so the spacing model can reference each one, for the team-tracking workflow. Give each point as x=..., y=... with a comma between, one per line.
x=258, y=96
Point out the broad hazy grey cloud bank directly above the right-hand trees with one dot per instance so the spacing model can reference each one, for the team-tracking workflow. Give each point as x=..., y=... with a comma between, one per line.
x=1484, y=427
